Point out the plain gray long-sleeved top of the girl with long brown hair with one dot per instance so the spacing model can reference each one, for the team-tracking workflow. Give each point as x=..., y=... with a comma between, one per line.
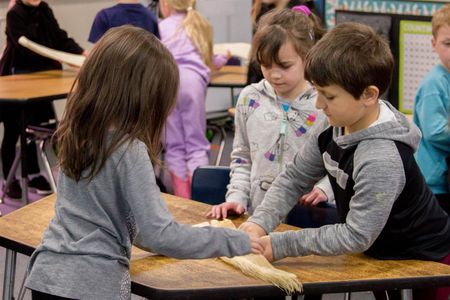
x=85, y=252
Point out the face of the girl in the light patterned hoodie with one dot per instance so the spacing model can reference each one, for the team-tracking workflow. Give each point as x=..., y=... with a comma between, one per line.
x=287, y=78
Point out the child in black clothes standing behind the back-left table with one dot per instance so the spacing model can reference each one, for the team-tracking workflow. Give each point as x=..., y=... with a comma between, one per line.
x=35, y=20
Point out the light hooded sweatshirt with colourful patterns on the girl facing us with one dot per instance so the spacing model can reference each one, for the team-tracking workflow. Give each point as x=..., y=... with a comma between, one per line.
x=268, y=134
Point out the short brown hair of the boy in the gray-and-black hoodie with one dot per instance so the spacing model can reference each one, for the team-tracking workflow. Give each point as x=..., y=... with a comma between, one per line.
x=352, y=56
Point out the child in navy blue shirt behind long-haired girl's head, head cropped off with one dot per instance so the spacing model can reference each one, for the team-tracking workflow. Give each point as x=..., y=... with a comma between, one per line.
x=125, y=12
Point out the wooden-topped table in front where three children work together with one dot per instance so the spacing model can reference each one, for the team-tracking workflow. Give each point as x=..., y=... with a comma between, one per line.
x=158, y=277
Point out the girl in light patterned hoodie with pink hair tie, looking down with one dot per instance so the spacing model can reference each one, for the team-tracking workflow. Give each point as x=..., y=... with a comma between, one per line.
x=275, y=116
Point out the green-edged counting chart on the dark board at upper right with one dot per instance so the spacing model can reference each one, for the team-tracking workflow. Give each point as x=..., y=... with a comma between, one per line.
x=416, y=59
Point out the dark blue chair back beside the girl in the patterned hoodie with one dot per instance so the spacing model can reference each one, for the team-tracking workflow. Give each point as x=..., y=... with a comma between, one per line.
x=209, y=184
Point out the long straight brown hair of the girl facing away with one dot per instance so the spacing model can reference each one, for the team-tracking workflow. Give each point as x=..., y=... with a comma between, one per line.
x=124, y=91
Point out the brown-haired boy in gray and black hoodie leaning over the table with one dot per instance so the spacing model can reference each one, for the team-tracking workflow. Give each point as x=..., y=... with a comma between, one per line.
x=366, y=148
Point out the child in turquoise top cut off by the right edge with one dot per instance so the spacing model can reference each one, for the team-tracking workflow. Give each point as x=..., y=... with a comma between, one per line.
x=431, y=113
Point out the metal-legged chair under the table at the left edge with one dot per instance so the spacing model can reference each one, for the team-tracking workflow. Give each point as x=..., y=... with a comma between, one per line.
x=41, y=135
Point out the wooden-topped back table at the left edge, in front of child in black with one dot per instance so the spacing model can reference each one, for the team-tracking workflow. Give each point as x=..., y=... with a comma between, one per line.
x=25, y=88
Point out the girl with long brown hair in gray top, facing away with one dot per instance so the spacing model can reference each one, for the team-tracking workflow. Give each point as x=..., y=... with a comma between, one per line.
x=107, y=200
